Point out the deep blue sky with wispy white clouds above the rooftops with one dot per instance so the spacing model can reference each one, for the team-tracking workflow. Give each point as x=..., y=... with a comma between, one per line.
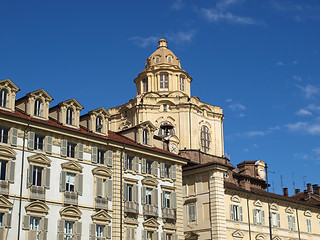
x=258, y=60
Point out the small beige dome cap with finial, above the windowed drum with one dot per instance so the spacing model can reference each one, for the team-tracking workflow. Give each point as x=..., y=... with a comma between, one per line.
x=163, y=57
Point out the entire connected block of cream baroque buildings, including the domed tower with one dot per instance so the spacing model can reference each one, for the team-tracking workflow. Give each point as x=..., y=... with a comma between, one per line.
x=153, y=168
